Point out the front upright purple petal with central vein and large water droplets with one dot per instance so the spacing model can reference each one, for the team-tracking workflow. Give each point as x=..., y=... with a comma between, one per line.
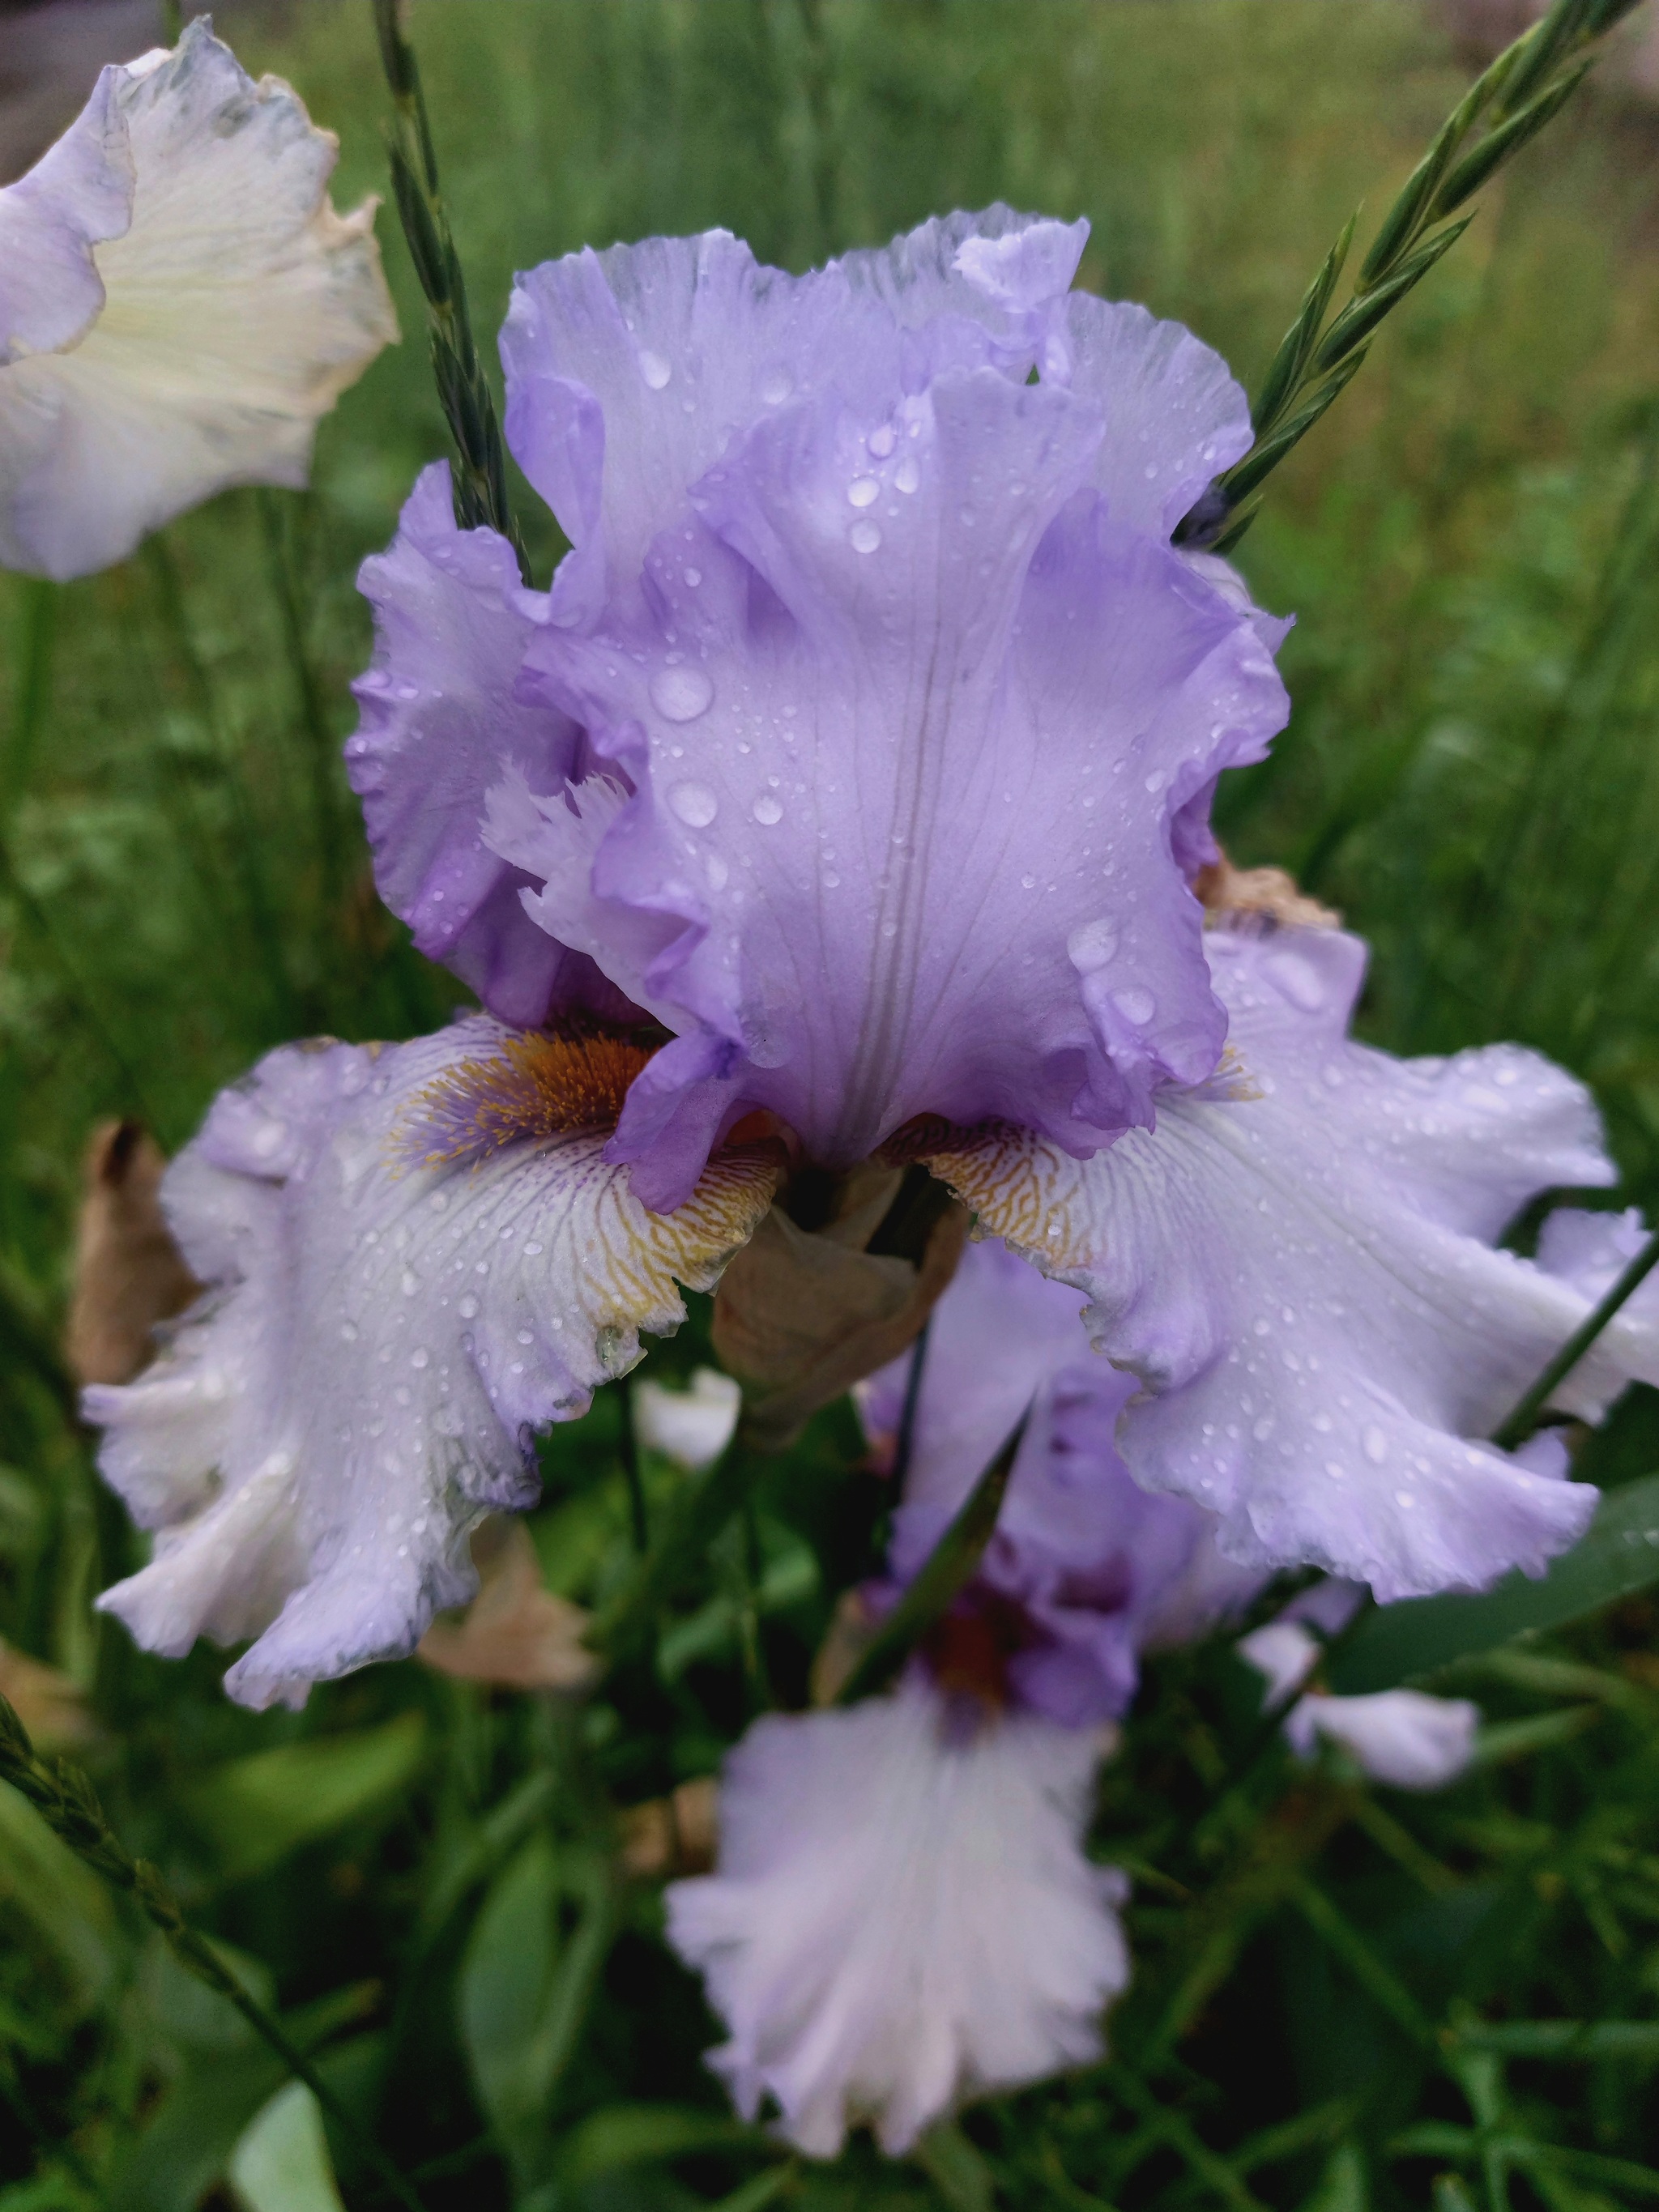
x=906, y=744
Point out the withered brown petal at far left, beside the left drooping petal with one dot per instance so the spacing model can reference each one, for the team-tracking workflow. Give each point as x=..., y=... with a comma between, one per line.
x=129, y=1275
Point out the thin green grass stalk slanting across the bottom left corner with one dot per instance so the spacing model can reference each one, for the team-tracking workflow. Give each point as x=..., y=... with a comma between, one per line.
x=67, y=1804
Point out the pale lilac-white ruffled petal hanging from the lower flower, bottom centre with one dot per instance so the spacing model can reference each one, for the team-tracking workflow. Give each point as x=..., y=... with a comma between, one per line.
x=901, y=1917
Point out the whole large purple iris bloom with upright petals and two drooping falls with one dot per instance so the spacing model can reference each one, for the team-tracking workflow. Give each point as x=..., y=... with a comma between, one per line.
x=844, y=795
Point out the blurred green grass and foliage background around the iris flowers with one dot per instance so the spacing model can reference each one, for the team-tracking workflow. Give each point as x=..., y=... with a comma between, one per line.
x=1346, y=1999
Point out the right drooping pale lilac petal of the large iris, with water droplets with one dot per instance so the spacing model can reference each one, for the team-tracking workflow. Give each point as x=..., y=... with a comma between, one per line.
x=1300, y=1266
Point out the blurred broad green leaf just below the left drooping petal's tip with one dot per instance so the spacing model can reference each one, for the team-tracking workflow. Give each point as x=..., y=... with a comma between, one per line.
x=262, y=1808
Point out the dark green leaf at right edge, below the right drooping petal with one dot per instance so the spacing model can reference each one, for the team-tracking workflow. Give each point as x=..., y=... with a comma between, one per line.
x=1618, y=1554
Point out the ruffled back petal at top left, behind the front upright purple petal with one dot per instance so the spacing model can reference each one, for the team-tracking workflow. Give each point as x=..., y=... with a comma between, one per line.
x=632, y=373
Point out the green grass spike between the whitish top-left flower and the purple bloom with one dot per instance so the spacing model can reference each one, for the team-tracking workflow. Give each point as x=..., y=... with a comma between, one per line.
x=463, y=390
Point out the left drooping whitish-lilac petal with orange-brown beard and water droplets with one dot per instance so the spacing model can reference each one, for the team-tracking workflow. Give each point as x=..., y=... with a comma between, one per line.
x=415, y=1260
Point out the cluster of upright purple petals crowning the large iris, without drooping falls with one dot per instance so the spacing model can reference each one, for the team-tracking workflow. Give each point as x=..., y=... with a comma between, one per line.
x=868, y=731
